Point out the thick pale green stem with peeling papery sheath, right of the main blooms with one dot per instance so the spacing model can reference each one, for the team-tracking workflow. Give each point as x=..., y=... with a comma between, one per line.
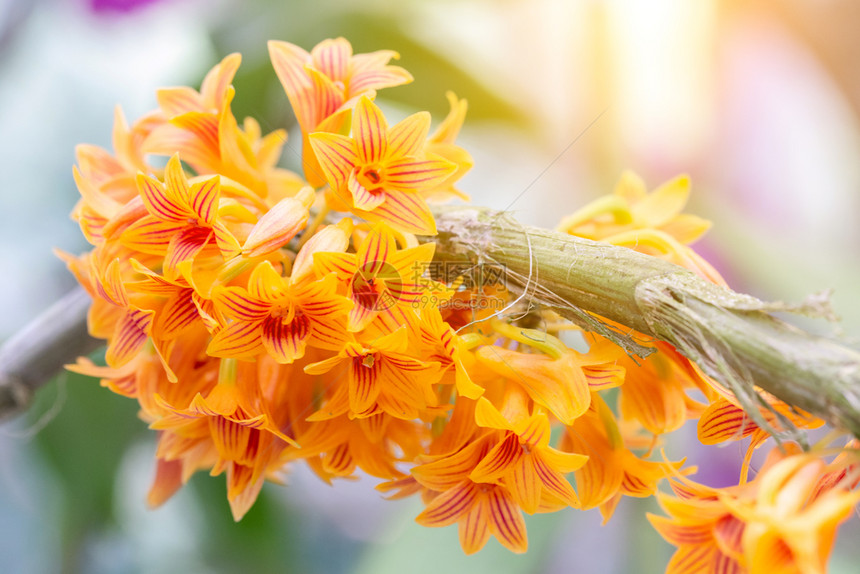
x=732, y=337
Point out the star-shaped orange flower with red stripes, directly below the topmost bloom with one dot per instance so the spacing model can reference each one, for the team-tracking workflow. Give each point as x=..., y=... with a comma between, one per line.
x=381, y=171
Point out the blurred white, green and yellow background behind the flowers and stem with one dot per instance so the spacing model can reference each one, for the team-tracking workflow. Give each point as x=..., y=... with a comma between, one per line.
x=758, y=100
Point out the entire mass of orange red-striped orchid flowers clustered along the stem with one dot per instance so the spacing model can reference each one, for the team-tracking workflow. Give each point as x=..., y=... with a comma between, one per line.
x=262, y=317
